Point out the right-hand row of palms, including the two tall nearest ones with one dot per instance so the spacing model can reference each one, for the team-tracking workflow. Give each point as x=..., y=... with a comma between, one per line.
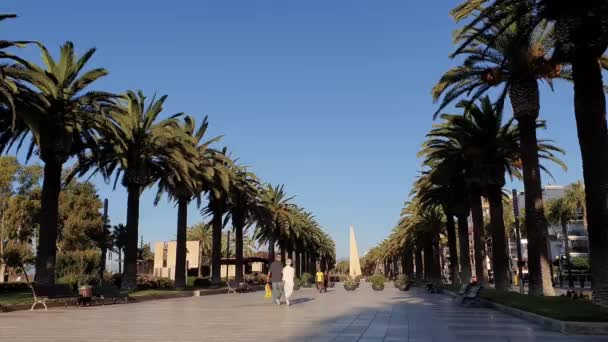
x=506, y=47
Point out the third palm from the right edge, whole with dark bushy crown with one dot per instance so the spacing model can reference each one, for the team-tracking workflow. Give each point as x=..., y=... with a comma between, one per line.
x=491, y=149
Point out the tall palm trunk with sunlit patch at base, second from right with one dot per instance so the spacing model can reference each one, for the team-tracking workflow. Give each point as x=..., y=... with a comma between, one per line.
x=525, y=97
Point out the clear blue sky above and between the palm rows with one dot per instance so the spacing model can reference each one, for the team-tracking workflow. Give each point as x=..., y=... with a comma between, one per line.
x=330, y=98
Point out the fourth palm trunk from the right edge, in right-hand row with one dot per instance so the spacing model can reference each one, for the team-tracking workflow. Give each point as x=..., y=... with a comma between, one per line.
x=479, y=236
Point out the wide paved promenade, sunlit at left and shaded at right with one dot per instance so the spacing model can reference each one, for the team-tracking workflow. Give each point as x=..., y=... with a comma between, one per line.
x=363, y=315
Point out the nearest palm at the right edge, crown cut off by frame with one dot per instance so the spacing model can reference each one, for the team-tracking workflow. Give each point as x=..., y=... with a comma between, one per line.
x=581, y=40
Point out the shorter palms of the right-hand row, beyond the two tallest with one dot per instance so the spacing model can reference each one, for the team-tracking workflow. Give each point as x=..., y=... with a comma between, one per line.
x=466, y=158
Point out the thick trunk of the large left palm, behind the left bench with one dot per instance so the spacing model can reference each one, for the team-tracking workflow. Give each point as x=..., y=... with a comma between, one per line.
x=49, y=212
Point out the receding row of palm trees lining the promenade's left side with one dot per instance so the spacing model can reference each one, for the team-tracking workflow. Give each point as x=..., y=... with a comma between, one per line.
x=122, y=137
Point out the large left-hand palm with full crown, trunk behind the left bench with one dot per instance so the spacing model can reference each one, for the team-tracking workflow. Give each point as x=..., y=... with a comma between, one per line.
x=56, y=108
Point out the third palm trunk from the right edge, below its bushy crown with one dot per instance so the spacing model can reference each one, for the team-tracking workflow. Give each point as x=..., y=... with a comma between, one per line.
x=500, y=259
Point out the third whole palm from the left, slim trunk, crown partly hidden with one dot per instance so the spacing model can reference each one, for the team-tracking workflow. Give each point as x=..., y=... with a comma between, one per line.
x=184, y=188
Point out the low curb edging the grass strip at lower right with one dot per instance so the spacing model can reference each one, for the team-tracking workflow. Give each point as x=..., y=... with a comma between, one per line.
x=552, y=324
